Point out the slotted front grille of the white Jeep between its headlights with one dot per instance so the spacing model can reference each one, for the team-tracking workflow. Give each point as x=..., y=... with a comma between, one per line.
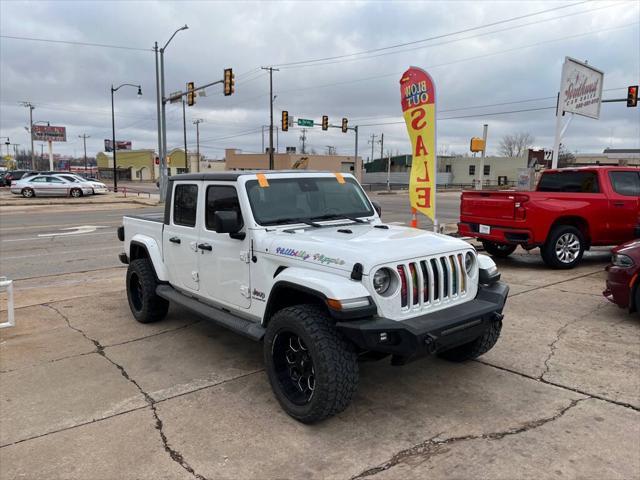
x=432, y=281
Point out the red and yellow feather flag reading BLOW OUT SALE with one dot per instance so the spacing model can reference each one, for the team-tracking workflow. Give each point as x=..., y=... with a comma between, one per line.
x=418, y=99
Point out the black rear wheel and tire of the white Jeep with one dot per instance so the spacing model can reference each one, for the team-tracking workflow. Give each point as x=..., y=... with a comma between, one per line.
x=145, y=305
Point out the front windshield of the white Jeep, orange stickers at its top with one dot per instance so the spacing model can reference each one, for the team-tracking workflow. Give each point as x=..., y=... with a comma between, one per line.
x=305, y=199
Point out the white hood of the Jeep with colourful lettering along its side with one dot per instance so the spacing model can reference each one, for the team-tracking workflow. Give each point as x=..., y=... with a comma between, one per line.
x=344, y=245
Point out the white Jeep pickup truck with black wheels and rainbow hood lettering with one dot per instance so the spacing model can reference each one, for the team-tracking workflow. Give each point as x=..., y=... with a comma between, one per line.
x=302, y=262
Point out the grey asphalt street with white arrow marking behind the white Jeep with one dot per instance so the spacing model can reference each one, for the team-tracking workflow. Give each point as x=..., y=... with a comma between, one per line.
x=56, y=239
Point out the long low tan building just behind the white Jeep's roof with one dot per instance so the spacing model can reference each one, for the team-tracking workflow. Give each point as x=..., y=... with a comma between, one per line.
x=236, y=160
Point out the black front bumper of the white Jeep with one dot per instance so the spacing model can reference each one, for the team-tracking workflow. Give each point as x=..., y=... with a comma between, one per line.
x=431, y=333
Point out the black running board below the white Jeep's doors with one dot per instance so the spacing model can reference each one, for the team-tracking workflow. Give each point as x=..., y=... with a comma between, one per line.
x=247, y=328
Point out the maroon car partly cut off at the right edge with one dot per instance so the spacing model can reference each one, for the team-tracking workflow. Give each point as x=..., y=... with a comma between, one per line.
x=623, y=279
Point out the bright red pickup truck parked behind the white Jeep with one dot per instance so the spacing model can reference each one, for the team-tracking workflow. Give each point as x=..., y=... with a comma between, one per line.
x=571, y=210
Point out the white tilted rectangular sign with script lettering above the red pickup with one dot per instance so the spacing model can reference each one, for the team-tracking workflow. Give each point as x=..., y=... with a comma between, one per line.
x=581, y=88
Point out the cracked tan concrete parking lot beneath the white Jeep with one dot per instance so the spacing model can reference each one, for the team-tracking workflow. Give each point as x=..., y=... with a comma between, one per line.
x=87, y=392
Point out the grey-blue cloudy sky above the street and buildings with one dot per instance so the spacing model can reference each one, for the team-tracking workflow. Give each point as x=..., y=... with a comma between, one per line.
x=487, y=59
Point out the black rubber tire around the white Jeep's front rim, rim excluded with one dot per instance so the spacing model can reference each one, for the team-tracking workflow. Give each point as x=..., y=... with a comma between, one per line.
x=334, y=360
